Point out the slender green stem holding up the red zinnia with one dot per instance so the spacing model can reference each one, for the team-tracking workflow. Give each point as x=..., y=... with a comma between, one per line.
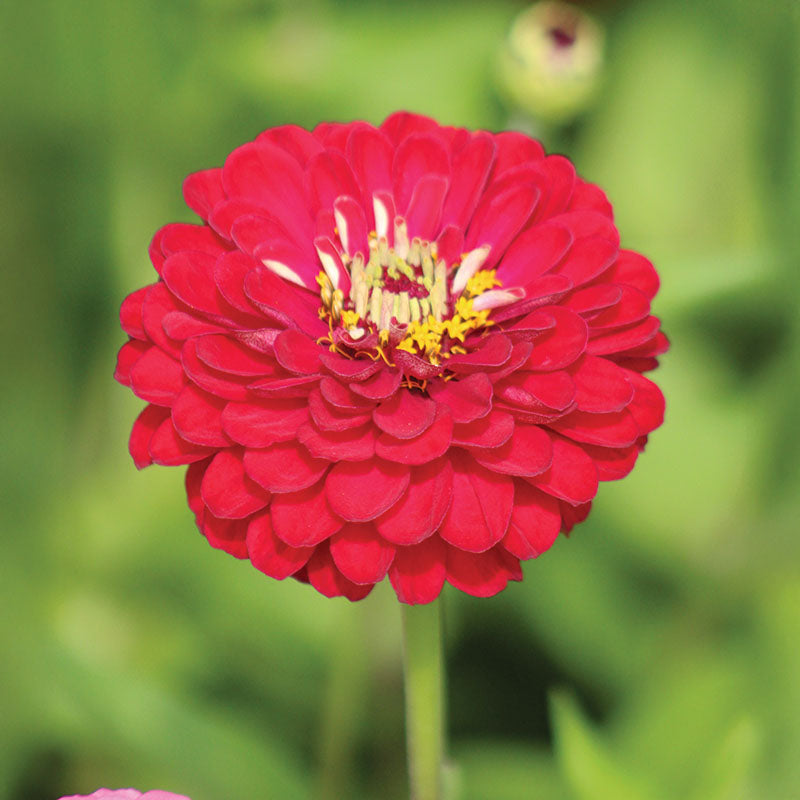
x=422, y=633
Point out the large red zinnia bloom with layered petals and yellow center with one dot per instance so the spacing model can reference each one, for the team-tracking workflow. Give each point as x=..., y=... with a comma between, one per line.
x=410, y=350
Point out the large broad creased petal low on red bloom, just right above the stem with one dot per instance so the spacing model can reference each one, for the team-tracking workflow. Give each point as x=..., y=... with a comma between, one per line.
x=481, y=507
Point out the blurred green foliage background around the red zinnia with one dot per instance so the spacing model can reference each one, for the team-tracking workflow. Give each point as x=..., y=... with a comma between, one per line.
x=654, y=654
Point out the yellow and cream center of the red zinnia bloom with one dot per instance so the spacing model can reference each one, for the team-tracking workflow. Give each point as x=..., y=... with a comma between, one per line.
x=409, y=296
